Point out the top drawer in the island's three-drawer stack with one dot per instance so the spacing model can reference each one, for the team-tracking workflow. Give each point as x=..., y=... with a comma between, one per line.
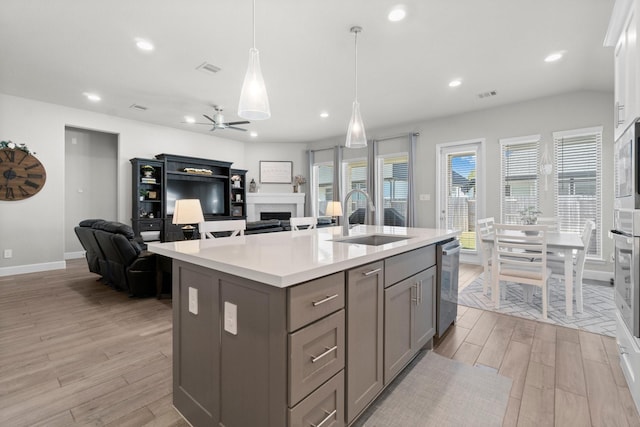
x=315, y=299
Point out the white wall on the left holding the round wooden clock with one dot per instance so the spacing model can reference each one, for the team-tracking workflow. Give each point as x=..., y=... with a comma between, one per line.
x=34, y=228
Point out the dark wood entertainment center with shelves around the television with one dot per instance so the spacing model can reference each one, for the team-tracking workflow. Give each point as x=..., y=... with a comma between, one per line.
x=157, y=183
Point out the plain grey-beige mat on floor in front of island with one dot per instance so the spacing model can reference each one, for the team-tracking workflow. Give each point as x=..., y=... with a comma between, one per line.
x=436, y=391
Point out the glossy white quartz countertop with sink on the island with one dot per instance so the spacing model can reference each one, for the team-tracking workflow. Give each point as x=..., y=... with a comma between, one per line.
x=287, y=258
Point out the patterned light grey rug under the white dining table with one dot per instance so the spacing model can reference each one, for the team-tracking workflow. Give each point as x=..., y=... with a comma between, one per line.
x=599, y=306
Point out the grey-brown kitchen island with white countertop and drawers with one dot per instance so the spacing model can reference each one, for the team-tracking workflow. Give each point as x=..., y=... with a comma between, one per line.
x=297, y=328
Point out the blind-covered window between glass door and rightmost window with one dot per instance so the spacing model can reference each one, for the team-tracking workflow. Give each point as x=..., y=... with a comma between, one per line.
x=519, y=177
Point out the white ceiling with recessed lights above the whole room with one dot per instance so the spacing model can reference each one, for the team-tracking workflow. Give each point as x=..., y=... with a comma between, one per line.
x=54, y=51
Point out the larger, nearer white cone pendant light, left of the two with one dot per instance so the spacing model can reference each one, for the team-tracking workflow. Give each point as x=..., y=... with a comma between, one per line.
x=254, y=102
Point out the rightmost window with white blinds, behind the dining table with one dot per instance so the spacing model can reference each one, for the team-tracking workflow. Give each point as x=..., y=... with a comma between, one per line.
x=578, y=182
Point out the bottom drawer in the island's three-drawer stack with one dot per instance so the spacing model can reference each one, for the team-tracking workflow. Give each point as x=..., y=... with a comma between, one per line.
x=323, y=408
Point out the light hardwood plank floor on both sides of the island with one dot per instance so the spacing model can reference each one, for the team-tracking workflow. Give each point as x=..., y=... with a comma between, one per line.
x=75, y=352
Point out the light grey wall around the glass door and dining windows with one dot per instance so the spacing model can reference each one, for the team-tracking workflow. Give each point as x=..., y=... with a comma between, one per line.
x=540, y=116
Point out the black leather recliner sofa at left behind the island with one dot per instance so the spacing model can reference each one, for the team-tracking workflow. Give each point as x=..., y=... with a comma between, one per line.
x=113, y=253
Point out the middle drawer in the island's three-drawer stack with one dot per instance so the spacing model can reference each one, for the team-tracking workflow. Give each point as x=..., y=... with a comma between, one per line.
x=316, y=353
